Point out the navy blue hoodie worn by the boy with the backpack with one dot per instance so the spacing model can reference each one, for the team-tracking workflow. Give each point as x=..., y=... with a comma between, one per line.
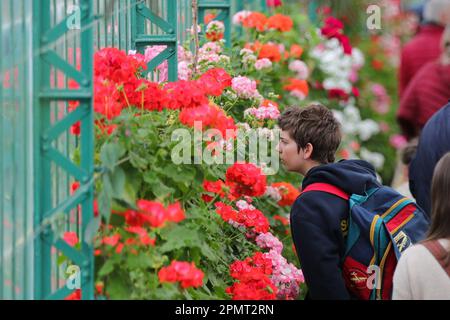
x=318, y=225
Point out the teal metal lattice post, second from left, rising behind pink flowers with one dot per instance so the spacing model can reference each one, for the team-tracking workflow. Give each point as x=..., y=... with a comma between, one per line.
x=140, y=40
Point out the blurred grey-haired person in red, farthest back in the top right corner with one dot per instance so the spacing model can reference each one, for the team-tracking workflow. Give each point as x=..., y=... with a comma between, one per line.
x=425, y=45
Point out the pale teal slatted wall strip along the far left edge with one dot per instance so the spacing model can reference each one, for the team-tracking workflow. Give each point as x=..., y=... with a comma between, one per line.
x=16, y=196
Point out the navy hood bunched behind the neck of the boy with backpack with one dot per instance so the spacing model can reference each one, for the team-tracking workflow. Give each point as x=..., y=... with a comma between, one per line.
x=352, y=176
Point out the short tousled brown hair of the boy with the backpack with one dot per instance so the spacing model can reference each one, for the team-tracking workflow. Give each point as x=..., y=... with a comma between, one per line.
x=314, y=124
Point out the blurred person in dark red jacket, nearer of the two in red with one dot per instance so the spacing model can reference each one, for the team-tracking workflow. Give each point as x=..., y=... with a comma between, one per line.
x=427, y=92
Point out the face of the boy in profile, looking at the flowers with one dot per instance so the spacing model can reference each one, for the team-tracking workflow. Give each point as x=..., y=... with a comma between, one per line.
x=290, y=156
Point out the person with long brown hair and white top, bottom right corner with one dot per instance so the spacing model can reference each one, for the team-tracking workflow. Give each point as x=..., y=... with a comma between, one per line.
x=423, y=271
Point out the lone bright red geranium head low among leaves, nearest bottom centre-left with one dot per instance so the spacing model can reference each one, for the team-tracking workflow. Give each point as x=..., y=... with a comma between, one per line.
x=187, y=274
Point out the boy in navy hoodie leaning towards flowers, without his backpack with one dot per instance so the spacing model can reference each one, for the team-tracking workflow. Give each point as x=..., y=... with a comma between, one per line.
x=309, y=140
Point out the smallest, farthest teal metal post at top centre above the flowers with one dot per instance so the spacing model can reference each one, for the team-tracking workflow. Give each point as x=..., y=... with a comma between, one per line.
x=224, y=6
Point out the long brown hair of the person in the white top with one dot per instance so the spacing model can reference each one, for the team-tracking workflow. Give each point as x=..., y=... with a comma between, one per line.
x=440, y=202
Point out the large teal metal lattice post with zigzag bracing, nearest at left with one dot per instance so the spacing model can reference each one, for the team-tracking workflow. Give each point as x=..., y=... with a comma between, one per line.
x=45, y=133
